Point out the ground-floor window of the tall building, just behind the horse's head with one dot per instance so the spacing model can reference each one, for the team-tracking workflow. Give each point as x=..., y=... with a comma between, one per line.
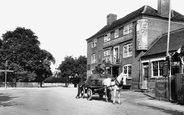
x=127, y=70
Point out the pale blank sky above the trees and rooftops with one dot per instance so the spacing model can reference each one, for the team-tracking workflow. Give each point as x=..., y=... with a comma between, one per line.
x=62, y=26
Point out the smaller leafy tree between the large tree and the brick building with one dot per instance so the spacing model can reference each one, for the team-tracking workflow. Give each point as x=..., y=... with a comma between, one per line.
x=73, y=66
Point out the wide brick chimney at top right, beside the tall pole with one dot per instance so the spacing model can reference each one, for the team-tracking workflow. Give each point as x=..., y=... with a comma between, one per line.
x=163, y=8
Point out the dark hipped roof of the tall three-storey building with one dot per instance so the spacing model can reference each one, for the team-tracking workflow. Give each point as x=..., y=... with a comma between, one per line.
x=143, y=11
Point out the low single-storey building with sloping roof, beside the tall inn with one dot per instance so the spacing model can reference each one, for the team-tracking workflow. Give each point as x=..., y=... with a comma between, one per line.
x=153, y=60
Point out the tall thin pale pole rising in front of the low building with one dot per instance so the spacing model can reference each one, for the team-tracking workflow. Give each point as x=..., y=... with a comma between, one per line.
x=168, y=40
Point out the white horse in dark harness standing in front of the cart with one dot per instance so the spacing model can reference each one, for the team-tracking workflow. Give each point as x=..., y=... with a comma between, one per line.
x=115, y=85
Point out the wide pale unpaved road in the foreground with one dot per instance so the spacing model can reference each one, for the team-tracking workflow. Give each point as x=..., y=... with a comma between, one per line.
x=62, y=101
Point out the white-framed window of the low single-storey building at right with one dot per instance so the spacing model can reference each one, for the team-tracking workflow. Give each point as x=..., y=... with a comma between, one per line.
x=157, y=68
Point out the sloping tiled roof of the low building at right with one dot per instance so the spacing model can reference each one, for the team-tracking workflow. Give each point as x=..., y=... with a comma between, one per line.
x=176, y=41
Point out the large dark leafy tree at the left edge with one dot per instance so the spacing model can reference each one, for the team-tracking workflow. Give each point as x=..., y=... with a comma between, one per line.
x=21, y=48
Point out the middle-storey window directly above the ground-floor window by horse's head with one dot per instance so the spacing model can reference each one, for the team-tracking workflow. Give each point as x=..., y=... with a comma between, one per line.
x=127, y=50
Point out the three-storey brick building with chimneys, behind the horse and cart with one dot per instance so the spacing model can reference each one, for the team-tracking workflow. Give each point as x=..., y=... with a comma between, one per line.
x=122, y=42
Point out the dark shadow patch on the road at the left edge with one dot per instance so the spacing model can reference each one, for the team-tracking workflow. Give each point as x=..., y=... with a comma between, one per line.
x=5, y=100
